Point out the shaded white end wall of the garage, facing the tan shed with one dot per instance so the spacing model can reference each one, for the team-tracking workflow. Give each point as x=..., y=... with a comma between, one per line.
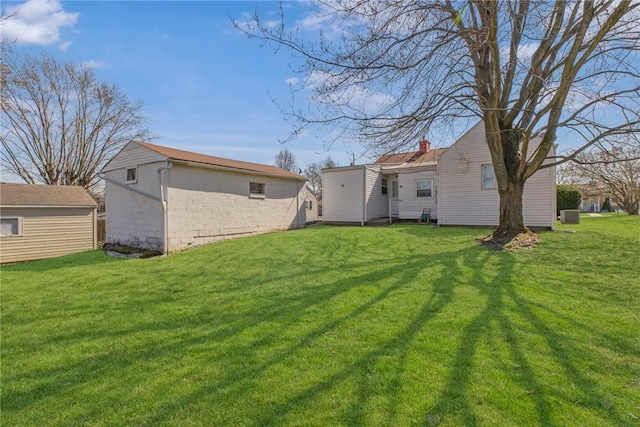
x=131, y=218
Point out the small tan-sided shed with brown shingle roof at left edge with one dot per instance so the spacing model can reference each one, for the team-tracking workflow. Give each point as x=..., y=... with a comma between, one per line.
x=45, y=221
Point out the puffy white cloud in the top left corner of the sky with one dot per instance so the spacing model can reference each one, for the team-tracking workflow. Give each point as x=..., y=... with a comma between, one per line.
x=37, y=22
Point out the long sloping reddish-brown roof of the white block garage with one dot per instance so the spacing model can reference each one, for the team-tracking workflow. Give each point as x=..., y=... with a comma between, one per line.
x=187, y=156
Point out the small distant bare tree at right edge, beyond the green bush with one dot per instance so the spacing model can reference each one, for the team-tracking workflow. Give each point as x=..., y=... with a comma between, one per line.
x=616, y=167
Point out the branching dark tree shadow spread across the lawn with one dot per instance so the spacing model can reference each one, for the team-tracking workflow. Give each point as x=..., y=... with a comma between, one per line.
x=221, y=334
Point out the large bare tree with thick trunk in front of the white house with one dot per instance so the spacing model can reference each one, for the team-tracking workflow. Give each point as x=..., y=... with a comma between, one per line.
x=388, y=72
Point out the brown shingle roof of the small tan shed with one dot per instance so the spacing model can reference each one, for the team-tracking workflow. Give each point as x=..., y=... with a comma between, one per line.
x=44, y=195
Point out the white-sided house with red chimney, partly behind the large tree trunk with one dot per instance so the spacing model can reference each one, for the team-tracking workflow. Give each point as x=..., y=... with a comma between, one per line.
x=456, y=183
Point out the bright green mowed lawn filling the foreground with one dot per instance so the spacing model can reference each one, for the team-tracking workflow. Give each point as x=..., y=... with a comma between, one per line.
x=328, y=326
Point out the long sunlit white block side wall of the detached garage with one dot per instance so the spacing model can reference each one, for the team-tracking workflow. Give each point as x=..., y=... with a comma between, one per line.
x=206, y=205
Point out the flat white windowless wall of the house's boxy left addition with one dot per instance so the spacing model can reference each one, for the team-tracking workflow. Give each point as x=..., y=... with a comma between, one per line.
x=342, y=194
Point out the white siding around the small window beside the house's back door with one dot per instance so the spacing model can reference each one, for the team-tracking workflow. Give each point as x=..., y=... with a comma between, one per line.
x=410, y=205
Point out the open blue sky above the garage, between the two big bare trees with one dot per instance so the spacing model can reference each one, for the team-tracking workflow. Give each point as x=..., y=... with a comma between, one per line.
x=205, y=86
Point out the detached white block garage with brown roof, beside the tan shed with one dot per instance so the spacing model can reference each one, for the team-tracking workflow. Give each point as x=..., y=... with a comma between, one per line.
x=167, y=199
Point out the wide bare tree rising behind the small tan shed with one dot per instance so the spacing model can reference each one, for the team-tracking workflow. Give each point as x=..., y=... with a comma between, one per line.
x=60, y=125
